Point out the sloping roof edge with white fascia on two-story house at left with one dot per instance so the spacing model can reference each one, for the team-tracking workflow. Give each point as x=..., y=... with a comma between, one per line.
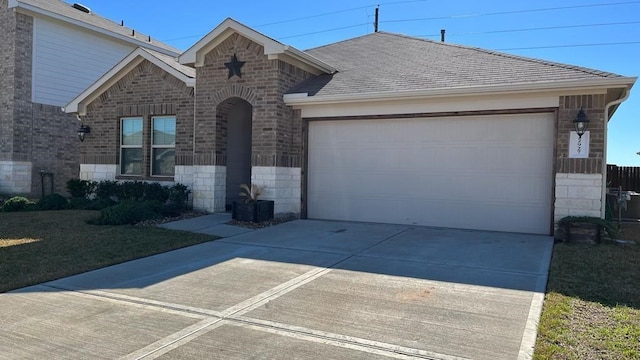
x=65, y=12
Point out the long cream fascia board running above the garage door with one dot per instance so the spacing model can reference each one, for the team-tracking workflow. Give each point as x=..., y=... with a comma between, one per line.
x=559, y=86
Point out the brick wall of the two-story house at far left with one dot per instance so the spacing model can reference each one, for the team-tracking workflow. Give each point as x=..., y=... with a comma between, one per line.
x=41, y=137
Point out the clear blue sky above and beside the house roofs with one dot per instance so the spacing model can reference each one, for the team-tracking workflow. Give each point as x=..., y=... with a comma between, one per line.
x=600, y=34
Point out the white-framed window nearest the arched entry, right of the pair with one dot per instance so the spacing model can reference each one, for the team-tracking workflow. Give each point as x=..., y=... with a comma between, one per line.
x=163, y=143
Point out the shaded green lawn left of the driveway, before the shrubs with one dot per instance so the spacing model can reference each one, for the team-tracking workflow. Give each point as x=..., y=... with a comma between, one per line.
x=46, y=245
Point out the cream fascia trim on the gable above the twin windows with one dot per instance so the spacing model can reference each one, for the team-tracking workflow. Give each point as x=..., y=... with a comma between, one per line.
x=78, y=104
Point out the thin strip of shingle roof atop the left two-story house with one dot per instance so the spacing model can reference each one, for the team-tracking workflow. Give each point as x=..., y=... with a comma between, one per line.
x=66, y=10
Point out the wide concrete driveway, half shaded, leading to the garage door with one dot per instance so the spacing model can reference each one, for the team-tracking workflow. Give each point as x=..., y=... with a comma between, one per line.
x=300, y=290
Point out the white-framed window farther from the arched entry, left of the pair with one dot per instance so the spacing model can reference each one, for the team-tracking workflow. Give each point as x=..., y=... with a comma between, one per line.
x=131, y=158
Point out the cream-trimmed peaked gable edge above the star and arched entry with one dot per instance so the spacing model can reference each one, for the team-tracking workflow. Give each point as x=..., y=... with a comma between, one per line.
x=272, y=48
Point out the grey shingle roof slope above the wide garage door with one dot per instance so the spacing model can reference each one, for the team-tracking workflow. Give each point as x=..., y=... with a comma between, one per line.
x=386, y=62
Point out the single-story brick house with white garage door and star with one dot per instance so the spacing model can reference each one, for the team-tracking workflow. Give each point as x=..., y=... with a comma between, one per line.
x=383, y=128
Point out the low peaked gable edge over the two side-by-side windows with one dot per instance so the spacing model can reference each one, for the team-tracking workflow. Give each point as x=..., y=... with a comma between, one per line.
x=166, y=63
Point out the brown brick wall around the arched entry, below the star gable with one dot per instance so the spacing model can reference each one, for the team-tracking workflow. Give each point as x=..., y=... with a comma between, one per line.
x=276, y=135
